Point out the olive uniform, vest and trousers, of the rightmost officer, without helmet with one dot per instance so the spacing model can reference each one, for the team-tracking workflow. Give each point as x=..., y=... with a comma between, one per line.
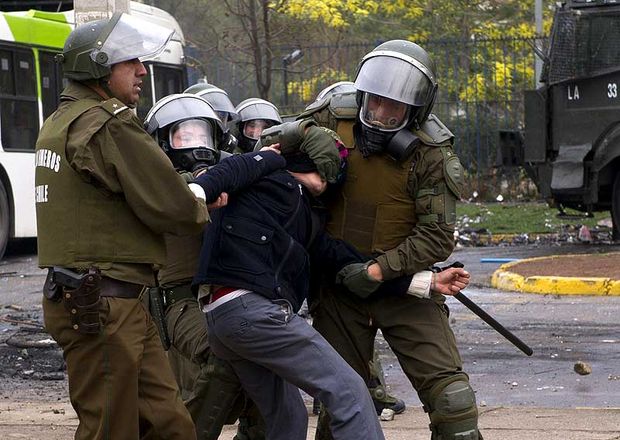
x=407, y=223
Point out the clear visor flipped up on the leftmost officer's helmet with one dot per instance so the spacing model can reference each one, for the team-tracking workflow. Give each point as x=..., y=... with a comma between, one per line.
x=131, y=38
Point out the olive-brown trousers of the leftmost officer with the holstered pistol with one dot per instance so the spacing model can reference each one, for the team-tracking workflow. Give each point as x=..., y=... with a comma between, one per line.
x=120, y=382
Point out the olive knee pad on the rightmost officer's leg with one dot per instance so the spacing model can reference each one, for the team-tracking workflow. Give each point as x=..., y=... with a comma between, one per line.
x=453, y=411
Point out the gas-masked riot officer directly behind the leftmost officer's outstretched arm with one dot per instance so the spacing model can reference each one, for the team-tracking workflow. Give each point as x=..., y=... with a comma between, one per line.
x=189, y=131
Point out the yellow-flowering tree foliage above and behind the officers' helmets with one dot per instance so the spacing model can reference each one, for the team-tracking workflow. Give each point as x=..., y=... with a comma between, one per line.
x=250, y=35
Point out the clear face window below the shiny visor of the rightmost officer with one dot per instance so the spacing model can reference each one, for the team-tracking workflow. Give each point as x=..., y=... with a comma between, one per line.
x=384, y=113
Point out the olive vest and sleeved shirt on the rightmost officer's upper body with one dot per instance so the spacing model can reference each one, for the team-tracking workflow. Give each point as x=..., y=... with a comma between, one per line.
x=422, y=192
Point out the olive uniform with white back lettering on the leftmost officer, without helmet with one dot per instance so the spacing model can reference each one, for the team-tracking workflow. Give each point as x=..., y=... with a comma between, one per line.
x=106, y=194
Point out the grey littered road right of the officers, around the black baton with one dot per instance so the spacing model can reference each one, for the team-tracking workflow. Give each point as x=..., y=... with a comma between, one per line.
x=560, y=329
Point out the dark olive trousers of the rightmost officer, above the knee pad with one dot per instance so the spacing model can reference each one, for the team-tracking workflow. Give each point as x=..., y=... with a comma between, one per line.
x=417, y=330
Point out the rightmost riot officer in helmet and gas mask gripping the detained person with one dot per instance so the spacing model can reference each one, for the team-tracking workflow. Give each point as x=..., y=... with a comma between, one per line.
x=406, y=223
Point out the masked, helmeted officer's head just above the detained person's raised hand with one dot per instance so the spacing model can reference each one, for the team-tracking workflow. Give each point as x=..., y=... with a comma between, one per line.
x=255, y=115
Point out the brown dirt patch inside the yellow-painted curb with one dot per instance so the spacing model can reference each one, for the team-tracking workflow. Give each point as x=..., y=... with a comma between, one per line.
x=592, y=265
